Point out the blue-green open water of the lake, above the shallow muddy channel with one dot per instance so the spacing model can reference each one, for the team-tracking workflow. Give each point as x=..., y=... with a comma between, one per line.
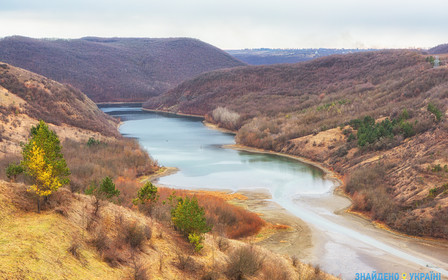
x=196, y=150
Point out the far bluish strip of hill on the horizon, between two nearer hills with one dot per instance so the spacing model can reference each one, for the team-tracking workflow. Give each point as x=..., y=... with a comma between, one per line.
x=267, y=56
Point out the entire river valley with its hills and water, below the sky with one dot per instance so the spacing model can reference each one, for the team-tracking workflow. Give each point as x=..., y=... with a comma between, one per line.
x=372, y=126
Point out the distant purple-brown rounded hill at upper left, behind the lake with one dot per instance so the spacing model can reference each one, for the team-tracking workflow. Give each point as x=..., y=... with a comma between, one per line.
x=116, y=69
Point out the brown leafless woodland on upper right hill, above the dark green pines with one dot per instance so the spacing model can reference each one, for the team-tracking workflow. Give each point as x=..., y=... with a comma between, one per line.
x=371, y=82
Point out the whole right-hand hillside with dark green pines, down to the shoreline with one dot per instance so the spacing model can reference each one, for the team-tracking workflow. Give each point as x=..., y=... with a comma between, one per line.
x=394, y=169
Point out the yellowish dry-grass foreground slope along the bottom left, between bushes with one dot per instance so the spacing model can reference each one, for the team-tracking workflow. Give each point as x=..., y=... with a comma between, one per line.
x=36, y=246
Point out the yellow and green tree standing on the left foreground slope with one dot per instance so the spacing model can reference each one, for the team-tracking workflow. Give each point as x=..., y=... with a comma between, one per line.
x=44, y=163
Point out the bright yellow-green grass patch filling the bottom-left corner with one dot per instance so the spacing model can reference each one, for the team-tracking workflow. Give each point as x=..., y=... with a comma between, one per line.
x=35, y=246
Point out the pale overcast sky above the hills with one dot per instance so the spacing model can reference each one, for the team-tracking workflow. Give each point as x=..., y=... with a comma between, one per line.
x=237, y=24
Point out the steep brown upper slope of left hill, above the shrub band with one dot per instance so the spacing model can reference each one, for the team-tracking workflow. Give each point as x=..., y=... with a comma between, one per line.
x=44, y=99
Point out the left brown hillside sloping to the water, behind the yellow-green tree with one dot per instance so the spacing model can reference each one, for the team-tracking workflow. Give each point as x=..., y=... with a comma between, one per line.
x=26, y=98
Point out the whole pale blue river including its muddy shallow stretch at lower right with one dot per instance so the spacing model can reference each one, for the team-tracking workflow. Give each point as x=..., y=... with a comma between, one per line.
x=342, y=244
